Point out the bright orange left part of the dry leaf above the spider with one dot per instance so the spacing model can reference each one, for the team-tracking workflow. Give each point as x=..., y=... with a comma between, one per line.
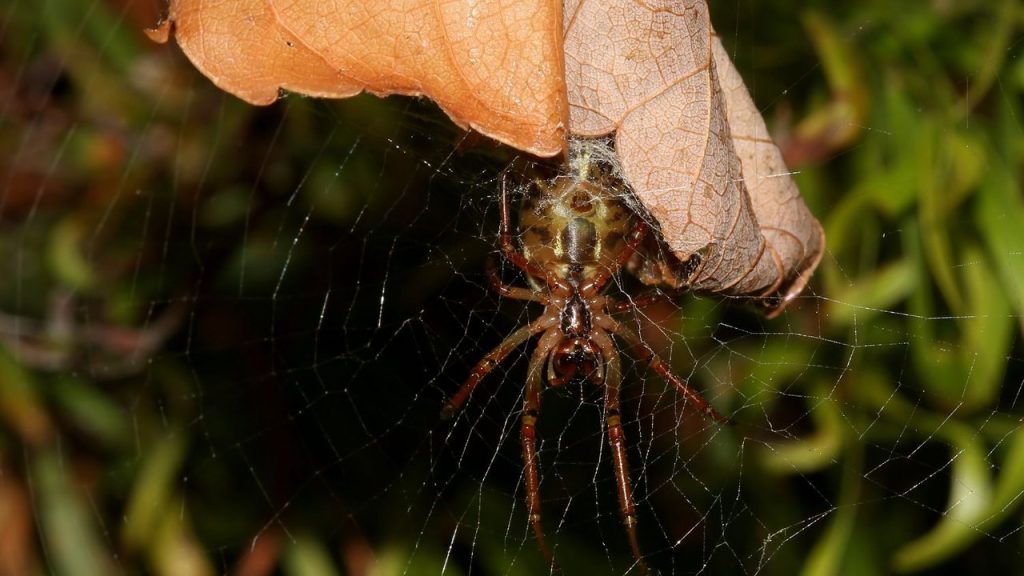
x=493, y=67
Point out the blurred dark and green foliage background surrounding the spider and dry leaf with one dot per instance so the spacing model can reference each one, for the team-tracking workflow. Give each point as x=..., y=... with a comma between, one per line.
x=227, y=332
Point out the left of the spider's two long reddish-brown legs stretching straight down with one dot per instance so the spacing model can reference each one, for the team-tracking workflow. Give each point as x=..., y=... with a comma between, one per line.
x=531, y=412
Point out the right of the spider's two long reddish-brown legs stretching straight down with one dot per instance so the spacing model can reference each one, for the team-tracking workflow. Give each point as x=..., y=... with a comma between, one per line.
x=617, y=440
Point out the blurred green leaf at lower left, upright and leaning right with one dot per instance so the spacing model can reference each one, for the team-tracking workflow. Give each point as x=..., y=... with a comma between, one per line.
x=154, y=489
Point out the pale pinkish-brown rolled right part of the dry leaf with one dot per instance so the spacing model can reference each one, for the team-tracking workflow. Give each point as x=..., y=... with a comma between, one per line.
x=653, y=74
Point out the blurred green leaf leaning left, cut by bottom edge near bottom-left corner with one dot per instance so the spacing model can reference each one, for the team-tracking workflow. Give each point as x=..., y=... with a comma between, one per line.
x=73, y=542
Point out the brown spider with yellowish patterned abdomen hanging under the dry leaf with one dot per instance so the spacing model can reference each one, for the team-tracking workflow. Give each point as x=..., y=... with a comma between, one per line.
x=577, y=234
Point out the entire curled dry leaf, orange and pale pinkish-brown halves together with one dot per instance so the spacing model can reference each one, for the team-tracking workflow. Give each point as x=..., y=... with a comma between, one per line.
x=690, y=140
